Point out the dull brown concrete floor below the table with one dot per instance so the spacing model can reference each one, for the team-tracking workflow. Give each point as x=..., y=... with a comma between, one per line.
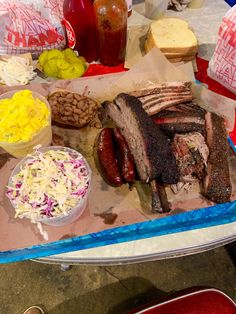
x=109, y=290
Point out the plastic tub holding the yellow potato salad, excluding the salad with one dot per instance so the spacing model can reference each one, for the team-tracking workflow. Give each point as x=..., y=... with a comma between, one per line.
x=43, y=137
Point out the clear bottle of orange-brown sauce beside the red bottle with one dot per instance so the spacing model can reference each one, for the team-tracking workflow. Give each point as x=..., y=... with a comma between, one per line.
x=111, y=30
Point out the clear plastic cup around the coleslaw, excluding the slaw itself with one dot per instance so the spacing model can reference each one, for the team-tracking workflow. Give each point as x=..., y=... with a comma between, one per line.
x=73, y=213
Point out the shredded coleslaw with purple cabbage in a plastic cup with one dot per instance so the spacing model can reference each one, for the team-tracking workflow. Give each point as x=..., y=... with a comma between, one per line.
x=49, y=184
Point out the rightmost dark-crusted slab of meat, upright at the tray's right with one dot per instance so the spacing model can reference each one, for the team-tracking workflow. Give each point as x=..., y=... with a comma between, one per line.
x=217, y=186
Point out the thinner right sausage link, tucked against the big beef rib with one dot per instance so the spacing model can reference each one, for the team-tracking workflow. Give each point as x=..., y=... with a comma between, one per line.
x=127, y=160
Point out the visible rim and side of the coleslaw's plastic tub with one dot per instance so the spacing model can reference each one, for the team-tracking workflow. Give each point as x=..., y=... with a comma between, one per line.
x=75, y=212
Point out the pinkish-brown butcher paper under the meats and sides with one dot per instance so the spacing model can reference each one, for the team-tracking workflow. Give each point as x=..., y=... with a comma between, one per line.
x=130, y=206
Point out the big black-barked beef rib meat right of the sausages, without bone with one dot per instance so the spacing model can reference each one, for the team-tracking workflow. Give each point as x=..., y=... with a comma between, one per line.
x=151, y=149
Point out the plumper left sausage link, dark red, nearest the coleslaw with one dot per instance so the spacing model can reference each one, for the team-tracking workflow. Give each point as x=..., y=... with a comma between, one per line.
x=107, y=158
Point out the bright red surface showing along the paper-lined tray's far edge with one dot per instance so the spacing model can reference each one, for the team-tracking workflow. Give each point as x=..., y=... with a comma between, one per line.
x=201, y=75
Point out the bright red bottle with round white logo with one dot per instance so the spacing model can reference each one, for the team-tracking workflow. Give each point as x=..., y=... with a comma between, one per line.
x=80, y=29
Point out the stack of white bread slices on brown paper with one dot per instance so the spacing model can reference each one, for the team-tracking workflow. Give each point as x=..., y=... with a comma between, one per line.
x=174, y=38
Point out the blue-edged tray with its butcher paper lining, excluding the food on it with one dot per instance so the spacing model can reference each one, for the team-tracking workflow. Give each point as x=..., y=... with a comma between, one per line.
x=113, y=215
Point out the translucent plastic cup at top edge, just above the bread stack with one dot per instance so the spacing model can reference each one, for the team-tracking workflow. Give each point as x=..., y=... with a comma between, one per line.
x=155, y=9
